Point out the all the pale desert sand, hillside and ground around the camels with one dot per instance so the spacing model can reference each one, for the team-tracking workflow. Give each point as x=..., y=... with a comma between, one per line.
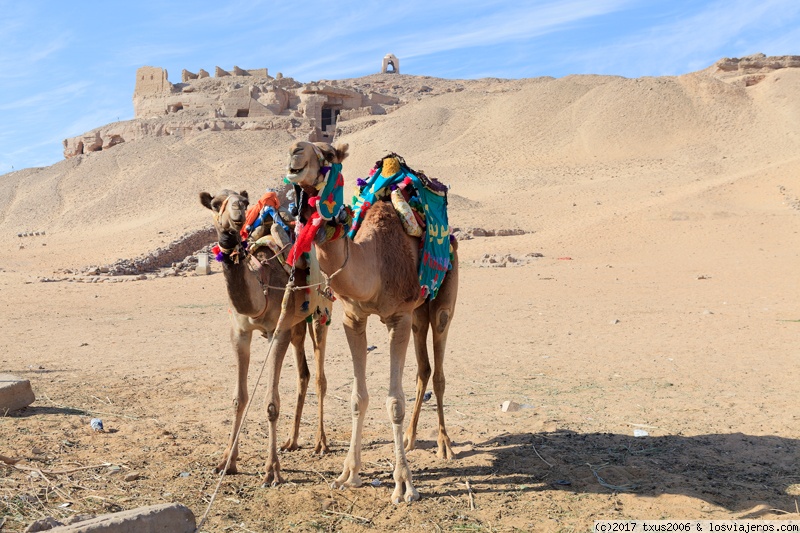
x=654, y=289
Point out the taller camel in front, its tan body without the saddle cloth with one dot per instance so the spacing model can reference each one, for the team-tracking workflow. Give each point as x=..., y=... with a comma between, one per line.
x=376, y=273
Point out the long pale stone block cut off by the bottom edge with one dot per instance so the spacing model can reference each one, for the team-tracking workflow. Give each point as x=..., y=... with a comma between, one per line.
x=166, y=518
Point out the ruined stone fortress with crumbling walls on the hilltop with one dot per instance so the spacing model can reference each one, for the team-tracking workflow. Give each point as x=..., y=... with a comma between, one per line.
x=238, y=99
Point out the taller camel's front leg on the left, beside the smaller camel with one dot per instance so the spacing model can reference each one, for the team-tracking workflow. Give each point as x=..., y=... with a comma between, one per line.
x=355, y=329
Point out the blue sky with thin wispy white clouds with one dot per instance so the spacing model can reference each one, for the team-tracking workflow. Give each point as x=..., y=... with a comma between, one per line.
x=68, y=68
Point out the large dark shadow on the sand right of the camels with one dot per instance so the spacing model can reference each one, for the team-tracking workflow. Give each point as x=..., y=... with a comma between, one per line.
x=733, y=471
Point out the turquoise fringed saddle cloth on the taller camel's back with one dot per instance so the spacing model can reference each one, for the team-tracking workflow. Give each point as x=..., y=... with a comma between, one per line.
x=421, y=203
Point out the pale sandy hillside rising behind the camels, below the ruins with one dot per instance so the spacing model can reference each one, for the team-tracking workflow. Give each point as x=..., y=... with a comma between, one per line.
x=537, y=154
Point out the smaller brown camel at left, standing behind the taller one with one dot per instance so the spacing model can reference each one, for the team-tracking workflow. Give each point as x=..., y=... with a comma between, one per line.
x=255, y=290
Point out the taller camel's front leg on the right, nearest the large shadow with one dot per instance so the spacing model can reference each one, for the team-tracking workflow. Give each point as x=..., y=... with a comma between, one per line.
x=399, y=327
